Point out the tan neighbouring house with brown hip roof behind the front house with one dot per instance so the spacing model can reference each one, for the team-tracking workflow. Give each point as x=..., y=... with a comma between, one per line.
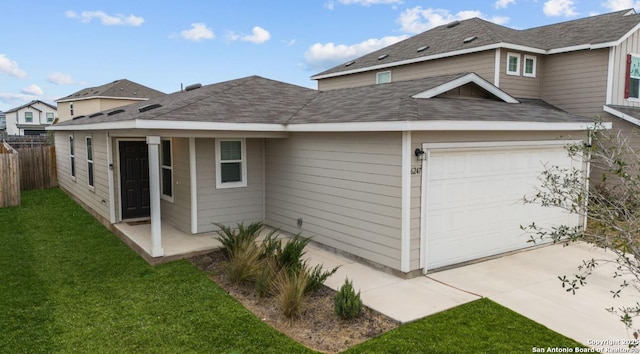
x=95, y=99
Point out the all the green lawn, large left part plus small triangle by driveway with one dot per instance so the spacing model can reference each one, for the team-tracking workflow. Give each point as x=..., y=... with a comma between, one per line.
x=69, y=285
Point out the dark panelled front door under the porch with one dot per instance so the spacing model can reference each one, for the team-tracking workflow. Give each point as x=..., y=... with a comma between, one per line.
x=134, y=179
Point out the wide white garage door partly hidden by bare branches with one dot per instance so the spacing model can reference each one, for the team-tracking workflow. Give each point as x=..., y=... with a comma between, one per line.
x=474, y=194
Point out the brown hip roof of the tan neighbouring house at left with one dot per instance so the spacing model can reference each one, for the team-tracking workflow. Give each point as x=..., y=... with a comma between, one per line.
x=118, y=89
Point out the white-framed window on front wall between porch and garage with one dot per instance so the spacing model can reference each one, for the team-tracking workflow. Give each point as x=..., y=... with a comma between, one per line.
x=231, y=163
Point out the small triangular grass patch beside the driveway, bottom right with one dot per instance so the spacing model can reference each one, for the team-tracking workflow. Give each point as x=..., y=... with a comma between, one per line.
x=481, y=326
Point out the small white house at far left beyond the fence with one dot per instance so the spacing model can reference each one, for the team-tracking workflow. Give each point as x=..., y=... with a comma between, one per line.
x=30, y=119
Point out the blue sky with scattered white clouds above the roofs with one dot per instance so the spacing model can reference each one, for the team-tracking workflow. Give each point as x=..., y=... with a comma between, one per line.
x=49, y=49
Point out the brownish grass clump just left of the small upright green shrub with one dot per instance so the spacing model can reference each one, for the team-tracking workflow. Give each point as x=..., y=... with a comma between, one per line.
x=290, y=292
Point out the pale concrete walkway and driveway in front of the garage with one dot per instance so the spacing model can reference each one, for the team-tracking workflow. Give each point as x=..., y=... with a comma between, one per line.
x=526, y=282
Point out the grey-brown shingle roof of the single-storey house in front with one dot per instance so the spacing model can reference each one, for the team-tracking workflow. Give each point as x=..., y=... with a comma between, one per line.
x=258, y=100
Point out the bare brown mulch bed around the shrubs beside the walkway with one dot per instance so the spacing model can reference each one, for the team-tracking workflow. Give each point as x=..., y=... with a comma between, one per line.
x=319, y=328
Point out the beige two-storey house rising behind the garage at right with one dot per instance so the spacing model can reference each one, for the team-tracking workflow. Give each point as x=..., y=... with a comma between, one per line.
x=587, y=67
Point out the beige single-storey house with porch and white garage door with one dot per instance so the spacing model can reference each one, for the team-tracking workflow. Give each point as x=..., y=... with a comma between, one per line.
x=410, y=176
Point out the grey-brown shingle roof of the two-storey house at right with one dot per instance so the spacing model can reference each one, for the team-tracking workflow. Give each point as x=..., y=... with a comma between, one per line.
x=445, y=39
